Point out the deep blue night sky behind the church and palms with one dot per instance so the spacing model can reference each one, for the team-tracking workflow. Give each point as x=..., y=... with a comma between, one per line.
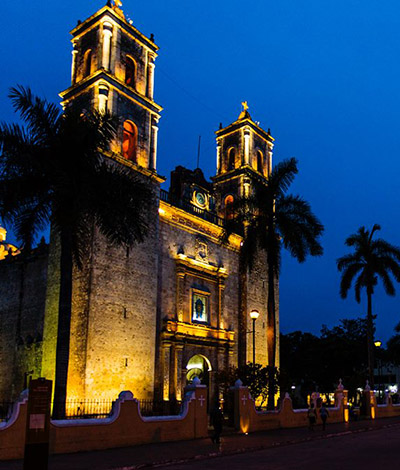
x=324, y=76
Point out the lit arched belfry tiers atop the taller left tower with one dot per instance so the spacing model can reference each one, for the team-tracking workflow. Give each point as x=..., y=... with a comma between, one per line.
x=113, y=69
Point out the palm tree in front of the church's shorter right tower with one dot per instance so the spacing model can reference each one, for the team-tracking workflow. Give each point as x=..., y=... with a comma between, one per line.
x=272, y=220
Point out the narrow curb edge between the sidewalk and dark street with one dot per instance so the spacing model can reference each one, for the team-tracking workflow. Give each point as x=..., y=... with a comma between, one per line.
x=243, y=450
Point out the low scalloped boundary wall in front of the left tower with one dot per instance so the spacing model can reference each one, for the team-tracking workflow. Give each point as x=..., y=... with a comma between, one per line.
x=125, y=427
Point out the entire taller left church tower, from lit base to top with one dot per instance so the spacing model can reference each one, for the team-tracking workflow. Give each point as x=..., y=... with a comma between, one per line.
x=114, y=297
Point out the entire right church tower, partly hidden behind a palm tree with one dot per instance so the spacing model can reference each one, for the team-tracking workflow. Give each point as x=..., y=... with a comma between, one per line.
x=244, y=160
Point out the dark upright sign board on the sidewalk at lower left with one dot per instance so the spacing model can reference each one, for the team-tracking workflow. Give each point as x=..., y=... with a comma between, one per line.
x=38, y=425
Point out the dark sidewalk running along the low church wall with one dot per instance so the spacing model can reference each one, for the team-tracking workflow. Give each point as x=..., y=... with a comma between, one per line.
x=176, y=452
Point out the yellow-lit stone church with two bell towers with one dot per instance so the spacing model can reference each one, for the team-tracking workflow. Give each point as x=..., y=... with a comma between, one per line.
x=151, y=318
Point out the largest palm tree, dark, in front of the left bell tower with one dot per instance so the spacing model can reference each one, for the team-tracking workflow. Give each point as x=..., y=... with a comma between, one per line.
x=53, y=171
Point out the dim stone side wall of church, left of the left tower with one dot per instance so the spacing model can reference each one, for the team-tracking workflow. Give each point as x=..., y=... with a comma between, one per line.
x=22, y=306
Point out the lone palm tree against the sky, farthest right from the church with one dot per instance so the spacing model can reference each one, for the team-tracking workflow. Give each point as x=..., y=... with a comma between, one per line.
x=371, y=259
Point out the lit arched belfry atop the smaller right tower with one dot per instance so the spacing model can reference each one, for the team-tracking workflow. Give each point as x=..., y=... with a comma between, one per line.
x=244, y=157
